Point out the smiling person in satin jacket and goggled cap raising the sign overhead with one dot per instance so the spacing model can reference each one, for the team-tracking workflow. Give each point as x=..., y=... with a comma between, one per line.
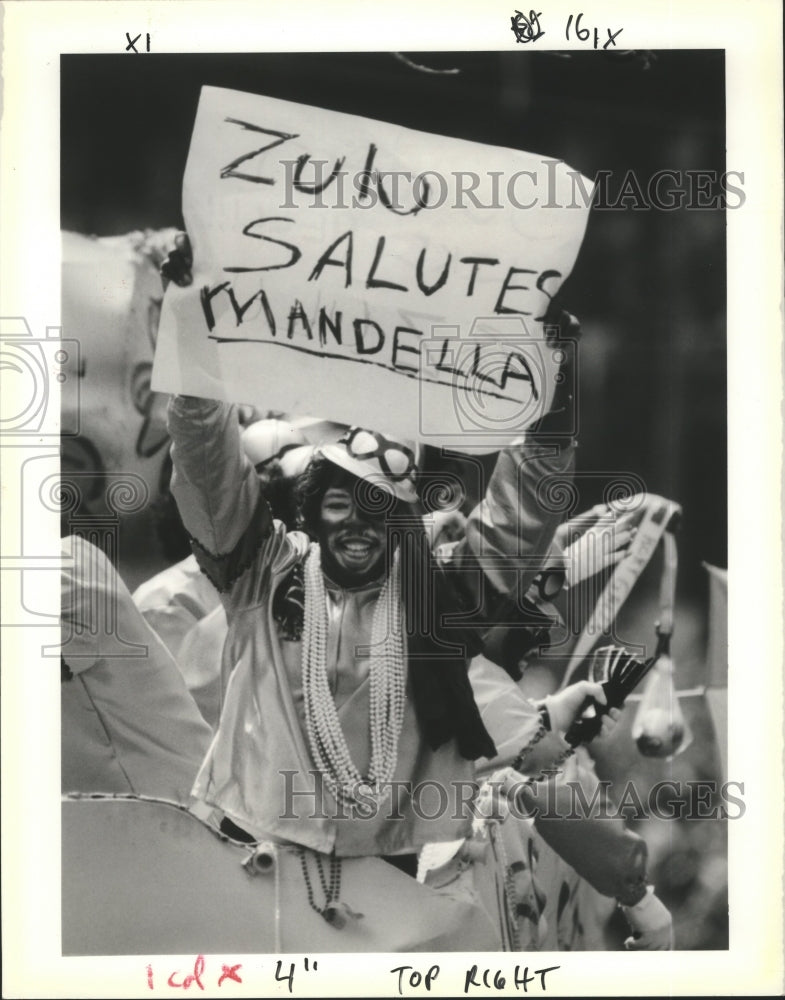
x=349, y=725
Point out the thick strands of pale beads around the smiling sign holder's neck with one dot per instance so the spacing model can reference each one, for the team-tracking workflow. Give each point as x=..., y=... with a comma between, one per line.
x=387, y=675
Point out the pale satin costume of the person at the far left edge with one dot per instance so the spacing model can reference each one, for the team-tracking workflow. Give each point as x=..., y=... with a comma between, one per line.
x=129, y=724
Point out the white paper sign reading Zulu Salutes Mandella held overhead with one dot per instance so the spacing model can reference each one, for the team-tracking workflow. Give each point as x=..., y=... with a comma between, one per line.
x=368, y=273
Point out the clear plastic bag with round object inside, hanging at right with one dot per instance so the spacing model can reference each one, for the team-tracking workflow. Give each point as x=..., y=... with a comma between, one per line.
x=660, y=728
